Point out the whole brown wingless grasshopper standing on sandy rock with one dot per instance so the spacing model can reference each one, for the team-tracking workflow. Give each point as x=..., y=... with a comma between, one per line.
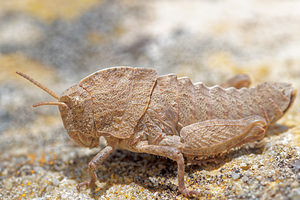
x=136, y=110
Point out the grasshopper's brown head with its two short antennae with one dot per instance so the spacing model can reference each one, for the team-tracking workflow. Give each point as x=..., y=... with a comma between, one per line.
x=75, y=106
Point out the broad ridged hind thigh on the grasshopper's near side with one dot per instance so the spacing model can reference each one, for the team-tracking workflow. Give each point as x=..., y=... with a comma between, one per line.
x=215, y=137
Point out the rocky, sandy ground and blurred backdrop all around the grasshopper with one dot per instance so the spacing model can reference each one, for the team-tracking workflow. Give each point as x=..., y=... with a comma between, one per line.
x=59, y=43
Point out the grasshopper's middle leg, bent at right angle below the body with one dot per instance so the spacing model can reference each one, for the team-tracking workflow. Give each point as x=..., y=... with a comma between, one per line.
x=174, y=154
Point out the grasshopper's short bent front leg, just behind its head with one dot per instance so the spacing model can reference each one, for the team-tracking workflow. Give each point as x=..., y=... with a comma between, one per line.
x=93, y=164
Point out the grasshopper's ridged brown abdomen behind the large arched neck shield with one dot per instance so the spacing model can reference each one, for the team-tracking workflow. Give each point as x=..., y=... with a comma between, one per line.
x=177, y=102
